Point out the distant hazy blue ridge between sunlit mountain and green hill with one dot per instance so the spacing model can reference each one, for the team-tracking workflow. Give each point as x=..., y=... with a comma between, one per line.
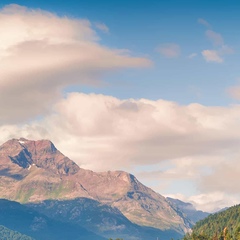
x=188, y=210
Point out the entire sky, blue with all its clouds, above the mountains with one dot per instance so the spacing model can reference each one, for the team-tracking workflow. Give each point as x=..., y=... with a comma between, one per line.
x=148, y=87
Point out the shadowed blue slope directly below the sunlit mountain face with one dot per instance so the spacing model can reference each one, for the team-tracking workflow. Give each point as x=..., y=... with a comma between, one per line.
x=99, y=218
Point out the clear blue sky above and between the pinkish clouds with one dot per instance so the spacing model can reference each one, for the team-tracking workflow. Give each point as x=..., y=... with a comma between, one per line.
x=142, y=27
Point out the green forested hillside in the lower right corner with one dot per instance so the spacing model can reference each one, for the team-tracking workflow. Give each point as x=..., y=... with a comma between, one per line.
x=220, y=226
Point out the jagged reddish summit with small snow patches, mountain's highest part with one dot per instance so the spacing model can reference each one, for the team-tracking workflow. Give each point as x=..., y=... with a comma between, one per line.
x=41, y=153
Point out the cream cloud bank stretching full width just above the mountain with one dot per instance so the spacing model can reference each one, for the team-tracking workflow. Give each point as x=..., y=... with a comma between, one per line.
x=101, y=133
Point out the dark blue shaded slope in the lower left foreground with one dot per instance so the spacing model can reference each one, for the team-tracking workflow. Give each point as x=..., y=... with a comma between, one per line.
x=27, y=221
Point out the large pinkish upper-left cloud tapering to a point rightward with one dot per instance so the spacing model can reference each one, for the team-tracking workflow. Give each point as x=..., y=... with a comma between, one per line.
x=41, y=53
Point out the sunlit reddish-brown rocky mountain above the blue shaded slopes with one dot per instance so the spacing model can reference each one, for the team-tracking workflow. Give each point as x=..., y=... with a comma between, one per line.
x=34, y=171
